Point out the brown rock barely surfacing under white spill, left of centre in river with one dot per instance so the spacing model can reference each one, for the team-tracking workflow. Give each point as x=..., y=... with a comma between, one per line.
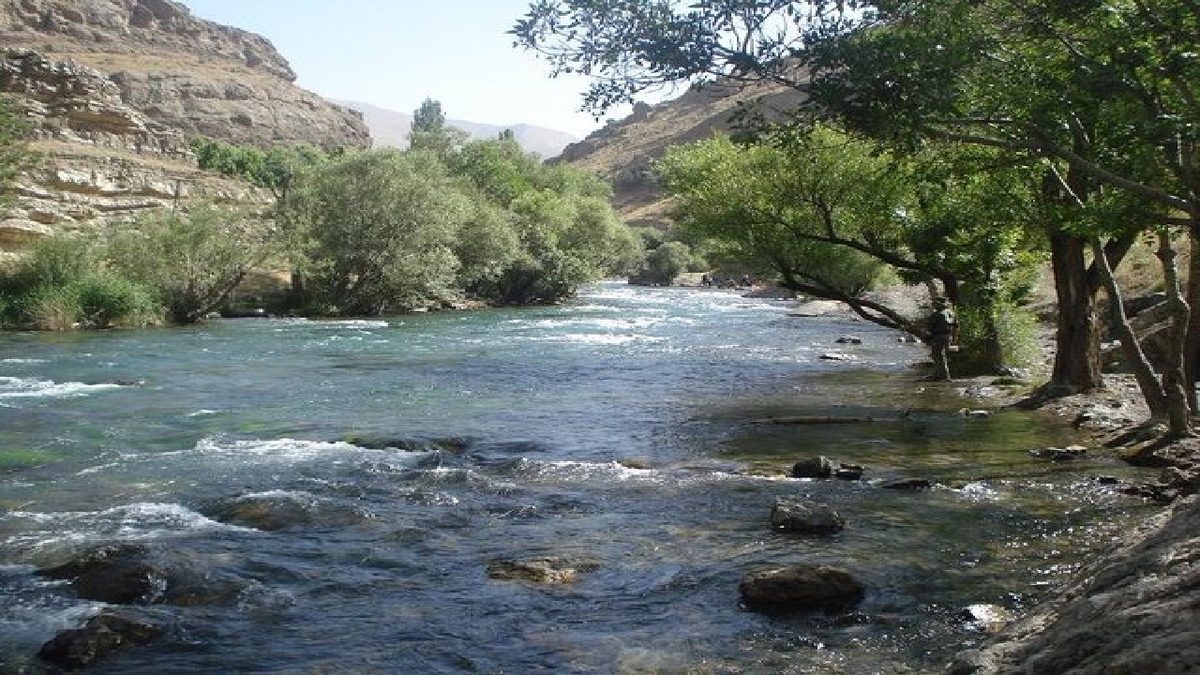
x=280, y=511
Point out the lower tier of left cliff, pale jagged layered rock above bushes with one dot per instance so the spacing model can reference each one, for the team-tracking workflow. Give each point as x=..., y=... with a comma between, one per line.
x=103, y=162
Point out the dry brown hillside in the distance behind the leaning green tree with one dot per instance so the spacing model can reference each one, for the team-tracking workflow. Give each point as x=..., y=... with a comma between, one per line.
x=623, y=152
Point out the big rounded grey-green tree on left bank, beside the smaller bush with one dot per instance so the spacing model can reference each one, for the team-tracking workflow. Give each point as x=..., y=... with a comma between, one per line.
x=380, y=229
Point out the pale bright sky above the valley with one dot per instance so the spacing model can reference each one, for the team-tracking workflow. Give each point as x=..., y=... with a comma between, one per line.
x=398, y=53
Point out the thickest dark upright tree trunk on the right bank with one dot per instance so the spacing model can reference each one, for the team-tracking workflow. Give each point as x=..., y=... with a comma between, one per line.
x=1077, y=365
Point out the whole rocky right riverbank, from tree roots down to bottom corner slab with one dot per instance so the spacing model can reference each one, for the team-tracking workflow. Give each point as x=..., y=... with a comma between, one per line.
x=1133, y=610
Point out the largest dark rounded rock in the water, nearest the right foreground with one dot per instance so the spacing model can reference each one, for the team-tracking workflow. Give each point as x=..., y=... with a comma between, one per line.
x=801, y=588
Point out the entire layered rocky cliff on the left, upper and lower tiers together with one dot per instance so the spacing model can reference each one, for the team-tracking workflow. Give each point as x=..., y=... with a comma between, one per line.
x=116, y=89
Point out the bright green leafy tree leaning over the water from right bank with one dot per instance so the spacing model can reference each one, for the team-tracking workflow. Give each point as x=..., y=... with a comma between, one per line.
x=831, y=216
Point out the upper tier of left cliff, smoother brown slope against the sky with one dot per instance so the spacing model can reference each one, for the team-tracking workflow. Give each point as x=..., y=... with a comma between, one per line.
x=196, y=76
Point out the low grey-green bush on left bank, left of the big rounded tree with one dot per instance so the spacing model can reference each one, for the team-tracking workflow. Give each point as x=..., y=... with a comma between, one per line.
x=194, y=260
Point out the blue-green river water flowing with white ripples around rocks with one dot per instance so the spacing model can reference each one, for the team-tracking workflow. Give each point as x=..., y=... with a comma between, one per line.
x=620, y=437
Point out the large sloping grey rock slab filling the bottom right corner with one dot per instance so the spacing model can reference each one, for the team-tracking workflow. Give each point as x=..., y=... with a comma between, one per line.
x=1131, y=611
